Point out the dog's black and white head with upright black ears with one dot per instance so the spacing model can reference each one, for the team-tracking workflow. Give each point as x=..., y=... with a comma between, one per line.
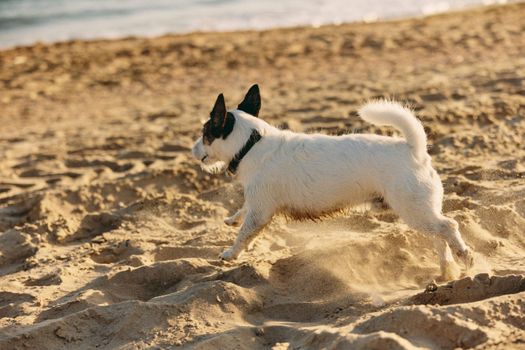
x=225, y=133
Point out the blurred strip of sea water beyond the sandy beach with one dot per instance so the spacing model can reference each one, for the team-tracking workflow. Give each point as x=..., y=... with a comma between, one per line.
x=24, y=22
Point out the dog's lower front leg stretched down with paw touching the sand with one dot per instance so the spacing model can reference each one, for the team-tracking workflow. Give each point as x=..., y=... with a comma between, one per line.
x=253, y=224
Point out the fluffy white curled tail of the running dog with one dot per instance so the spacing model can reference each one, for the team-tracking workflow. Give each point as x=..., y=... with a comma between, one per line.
x=401, y=118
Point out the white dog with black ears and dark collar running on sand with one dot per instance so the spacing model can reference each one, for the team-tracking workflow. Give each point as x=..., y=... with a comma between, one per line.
x=311, y=175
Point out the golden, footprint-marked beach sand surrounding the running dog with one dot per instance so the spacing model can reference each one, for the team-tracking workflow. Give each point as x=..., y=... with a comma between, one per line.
x=110, y=232
